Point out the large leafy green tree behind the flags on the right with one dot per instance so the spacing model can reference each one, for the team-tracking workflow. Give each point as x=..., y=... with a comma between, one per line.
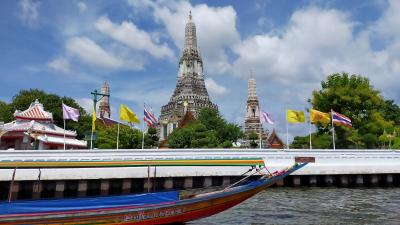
x=356, y=98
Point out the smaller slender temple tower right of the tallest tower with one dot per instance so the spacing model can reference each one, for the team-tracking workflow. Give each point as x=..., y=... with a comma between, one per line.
x=252, y=120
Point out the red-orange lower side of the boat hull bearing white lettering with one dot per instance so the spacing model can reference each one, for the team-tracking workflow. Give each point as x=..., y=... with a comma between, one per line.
x=191, y=210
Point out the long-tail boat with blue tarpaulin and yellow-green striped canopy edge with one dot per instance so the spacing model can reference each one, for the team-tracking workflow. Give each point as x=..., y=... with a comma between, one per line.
x=147, y=208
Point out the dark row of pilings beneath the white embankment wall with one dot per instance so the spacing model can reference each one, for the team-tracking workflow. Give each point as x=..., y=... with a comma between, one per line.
x=67, y=189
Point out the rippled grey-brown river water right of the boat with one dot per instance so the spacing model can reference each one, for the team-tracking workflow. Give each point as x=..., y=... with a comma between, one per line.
x=315, y=206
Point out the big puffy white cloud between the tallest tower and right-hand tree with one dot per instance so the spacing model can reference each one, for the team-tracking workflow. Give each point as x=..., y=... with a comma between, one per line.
x=303, y=52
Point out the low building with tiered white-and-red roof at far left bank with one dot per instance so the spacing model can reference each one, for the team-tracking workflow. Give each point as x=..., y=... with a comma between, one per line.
x=34, y=128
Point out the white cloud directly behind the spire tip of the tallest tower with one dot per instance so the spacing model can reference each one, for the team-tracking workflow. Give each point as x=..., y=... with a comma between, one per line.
x=216, y=30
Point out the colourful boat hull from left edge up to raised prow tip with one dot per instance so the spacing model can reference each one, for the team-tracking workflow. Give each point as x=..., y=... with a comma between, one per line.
x=160, y=213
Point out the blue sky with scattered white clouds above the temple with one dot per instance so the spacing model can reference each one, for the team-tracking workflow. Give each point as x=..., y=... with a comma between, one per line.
x=70, y=47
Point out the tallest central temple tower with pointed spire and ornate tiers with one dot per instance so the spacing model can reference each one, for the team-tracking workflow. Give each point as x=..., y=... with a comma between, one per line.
x=190, y=92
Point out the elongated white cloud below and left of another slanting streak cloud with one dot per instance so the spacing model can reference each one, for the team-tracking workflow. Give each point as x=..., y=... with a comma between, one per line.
x=91, y=53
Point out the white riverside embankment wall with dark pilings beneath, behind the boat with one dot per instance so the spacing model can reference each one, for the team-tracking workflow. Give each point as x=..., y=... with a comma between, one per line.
x=331, y=167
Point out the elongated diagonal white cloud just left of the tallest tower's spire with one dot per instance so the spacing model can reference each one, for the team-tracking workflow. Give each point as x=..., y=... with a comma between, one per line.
x=128, y=34
